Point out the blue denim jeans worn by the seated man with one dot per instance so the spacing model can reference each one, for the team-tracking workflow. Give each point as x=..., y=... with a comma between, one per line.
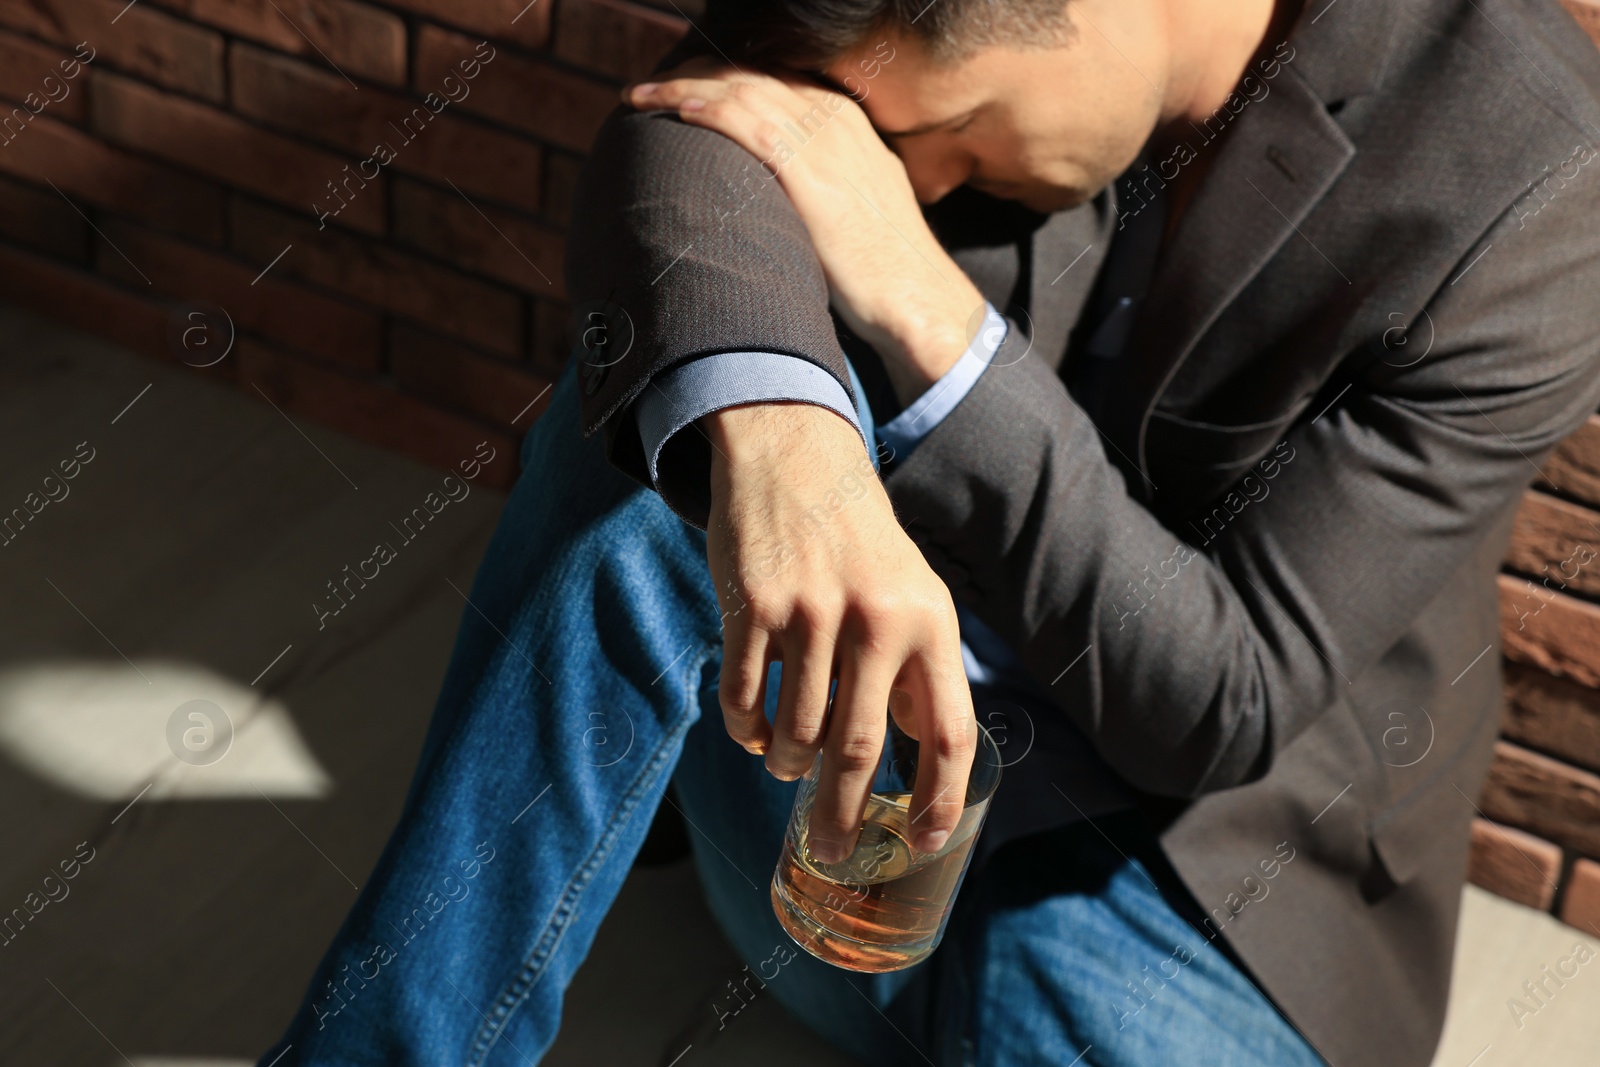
x=583, y=682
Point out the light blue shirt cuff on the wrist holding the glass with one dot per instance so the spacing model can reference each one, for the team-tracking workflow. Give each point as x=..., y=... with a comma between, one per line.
x=678, y=398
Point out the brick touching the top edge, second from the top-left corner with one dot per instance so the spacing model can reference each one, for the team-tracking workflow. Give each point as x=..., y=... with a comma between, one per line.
x=358, y=39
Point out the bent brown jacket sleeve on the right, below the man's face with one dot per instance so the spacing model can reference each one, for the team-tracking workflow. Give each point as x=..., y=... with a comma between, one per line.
x=1191, y=663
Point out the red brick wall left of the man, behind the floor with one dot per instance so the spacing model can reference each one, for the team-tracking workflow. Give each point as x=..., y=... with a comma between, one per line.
x=201, y=140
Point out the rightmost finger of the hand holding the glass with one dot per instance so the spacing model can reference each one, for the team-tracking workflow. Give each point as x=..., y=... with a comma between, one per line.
x=946, y=743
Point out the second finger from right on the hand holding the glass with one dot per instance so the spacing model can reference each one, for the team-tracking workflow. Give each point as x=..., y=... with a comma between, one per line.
x=850, y=754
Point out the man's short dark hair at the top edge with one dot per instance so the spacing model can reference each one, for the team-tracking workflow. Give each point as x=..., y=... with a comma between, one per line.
x=812, y=34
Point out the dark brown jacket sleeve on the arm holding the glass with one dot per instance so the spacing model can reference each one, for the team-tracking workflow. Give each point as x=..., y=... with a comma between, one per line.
x=681, y=246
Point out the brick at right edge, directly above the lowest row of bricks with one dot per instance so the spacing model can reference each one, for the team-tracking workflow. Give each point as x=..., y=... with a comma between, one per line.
x=1543, y=796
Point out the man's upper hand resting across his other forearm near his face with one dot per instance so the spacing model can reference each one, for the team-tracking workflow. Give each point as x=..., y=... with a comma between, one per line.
x=890, y=279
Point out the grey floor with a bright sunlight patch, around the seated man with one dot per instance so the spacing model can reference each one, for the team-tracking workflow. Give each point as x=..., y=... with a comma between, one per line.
x=182, y=567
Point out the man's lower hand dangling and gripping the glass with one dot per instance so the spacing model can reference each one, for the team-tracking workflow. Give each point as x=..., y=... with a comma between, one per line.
x=814, y=570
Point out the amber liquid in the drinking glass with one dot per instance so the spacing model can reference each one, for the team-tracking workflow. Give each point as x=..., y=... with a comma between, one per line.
x=882, y=908
